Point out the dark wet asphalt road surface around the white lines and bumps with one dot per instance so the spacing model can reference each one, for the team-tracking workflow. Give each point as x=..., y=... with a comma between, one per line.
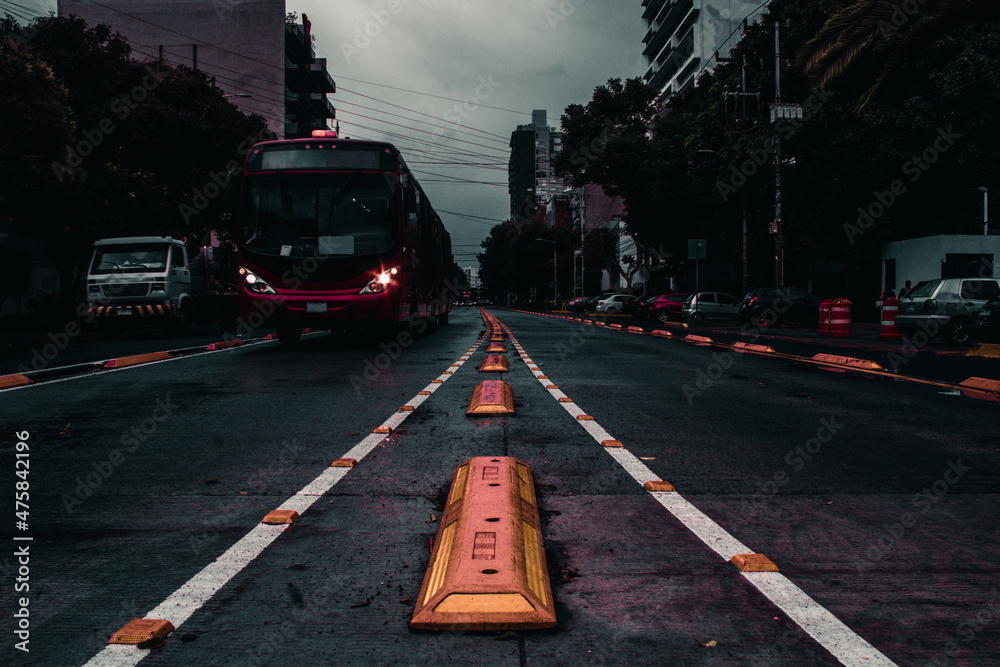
x=878, y=498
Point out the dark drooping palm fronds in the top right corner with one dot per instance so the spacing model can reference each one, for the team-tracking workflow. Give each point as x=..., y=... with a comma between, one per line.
x=848, y=33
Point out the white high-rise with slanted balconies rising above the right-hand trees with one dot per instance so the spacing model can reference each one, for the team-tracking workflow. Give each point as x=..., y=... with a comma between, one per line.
x=685, y=37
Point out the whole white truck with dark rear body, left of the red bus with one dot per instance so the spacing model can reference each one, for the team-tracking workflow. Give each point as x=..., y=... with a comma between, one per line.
x=148, y=281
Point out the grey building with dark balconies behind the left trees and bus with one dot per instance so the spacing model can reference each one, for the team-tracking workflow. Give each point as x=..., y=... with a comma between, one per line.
x=263, y=63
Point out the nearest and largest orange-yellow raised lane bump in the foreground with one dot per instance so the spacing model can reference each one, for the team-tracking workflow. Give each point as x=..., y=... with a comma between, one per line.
x=487, y=570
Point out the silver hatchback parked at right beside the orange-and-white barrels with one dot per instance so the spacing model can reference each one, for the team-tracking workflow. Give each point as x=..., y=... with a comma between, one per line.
x=945, y=305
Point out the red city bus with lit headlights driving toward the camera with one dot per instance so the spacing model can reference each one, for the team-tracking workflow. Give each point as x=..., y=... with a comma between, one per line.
x=337, y=233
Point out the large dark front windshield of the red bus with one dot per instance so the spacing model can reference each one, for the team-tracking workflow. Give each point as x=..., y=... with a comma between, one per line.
x=292, y=214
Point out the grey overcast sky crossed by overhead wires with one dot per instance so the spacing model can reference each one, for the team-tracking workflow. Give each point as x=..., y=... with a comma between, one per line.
x=483, y=63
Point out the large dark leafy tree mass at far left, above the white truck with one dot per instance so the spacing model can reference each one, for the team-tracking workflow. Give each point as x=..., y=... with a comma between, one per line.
x=95, y=144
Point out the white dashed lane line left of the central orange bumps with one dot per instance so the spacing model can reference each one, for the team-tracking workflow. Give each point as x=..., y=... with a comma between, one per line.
x=192, y=595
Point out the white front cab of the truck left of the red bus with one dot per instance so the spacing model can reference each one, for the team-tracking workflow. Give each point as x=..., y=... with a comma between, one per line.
x=139, y=280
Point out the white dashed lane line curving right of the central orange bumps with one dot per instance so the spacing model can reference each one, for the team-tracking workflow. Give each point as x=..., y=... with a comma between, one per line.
x=816, y=621
